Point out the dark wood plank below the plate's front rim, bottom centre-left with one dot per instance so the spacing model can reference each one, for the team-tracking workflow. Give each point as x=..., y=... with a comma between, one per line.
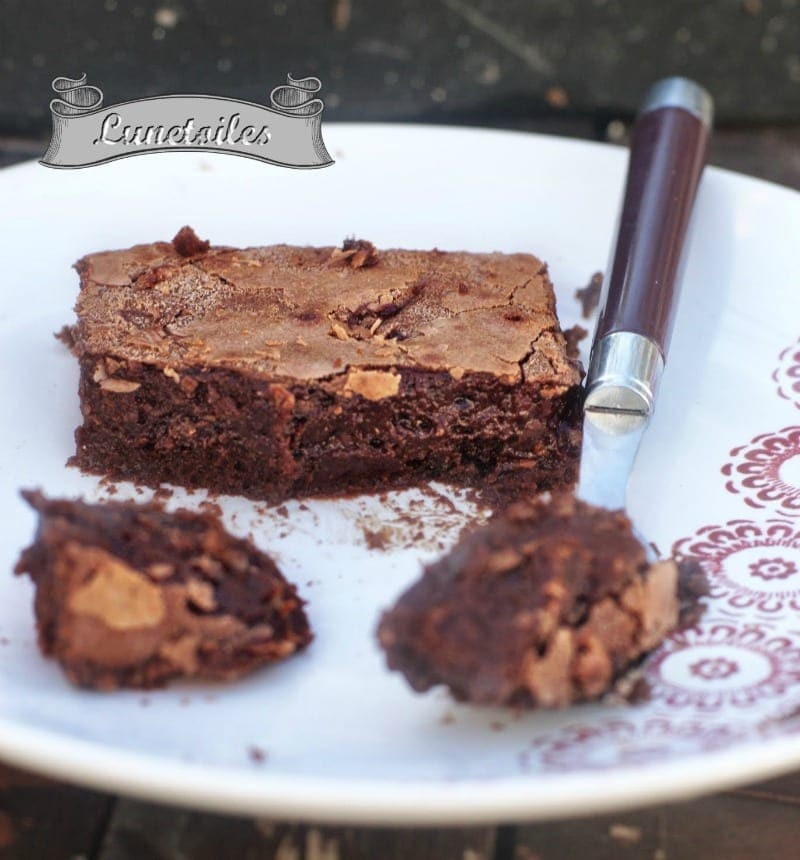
x=141, y=831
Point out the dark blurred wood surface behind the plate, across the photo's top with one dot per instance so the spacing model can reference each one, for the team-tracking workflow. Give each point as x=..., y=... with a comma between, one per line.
x=380, y=60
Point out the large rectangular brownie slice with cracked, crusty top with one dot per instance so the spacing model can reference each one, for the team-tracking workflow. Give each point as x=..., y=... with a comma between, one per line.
x=288, y=371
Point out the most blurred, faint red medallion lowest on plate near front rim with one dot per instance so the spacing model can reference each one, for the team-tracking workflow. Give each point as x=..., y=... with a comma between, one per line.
x=628, y=742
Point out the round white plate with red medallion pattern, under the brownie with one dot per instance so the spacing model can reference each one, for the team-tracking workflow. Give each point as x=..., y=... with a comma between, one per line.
x=719, y=472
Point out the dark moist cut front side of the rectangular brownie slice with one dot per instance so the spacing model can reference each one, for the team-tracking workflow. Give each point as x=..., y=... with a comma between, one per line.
x=235, y=433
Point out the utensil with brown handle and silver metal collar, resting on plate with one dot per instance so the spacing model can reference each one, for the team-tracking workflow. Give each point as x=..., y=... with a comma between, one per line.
x=641, y=289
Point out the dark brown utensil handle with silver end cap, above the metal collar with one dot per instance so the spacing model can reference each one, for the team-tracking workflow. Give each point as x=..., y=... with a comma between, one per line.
x=668, y=152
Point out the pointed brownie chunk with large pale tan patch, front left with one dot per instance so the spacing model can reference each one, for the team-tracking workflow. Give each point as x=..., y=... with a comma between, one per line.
x=128, y=595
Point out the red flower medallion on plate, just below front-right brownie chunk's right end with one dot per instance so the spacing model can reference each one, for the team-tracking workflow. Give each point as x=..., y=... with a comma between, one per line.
x=724, y=664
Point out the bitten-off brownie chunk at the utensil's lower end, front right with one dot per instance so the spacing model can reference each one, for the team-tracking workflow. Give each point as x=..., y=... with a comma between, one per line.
x=548, y=604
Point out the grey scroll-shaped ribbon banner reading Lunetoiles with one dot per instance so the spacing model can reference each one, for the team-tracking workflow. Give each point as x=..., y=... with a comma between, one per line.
x=287, y=133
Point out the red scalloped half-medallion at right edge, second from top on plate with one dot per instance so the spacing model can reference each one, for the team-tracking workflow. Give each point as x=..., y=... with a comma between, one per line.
x=766, y=471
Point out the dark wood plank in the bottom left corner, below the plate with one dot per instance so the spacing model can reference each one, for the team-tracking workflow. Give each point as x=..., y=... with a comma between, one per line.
x=42, y=820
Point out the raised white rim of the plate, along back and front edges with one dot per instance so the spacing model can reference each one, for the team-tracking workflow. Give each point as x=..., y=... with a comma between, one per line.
x=524, y=797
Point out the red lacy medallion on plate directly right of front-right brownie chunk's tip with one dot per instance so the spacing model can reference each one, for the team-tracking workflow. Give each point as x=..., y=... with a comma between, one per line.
x=750, y=564
